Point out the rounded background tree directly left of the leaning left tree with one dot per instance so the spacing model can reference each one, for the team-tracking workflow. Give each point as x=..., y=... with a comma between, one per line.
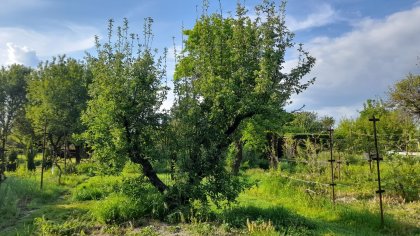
x=57, y=94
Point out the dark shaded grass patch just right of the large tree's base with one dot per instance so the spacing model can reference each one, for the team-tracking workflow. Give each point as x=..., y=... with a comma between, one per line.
x=282, y=219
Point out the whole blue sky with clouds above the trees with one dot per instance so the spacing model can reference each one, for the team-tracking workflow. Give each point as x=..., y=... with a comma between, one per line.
x=362, y=47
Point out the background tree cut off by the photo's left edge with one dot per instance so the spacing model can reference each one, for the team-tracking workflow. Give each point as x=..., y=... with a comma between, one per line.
x=13, y=80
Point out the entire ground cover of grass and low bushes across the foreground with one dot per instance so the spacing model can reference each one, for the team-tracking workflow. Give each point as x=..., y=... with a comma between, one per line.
x=274, y=206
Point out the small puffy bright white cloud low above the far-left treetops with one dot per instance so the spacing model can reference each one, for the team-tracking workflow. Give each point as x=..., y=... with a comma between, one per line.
x=21, y=55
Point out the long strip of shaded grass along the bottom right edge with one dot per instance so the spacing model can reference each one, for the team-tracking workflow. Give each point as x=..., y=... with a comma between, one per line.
x=348, y=222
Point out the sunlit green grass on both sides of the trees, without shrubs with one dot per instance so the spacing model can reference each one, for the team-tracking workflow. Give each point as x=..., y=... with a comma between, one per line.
x=273, y=206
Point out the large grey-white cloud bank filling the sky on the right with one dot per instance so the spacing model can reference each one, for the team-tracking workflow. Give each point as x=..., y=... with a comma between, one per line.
x=363, y=63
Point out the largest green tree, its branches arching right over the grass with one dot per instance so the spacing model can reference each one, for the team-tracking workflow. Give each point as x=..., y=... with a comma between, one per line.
x=229, y=73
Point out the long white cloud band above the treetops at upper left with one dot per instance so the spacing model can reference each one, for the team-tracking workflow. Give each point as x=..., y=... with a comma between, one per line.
x=67, y=39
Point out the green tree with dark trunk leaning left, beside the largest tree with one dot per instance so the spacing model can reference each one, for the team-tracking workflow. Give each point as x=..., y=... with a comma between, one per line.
x=123, y=115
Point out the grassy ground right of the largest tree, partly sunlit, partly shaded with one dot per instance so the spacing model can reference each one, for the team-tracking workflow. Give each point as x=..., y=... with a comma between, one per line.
x=295, y=211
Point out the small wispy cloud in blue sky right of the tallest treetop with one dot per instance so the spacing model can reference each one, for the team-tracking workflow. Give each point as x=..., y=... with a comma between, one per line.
x=323, y=15
